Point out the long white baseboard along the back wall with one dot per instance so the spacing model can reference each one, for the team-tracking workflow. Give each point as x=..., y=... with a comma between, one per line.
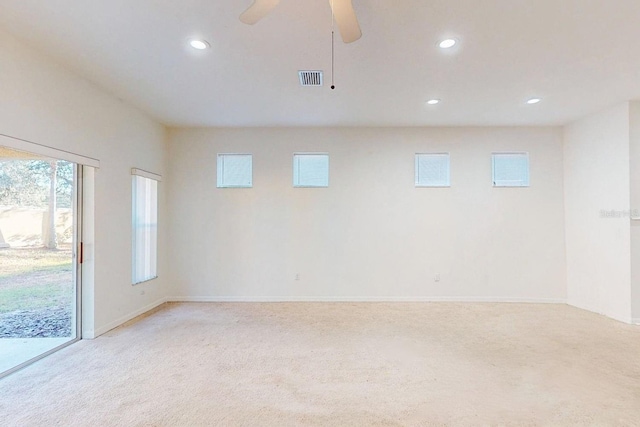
x=365, y=299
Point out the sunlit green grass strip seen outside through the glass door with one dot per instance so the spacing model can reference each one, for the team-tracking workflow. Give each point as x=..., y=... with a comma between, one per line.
x=33, y=278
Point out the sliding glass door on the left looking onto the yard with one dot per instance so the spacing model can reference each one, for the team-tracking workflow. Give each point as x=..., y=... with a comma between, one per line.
x=39, y=266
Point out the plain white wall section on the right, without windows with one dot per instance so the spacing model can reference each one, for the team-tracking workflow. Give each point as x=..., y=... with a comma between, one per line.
x=597, y=178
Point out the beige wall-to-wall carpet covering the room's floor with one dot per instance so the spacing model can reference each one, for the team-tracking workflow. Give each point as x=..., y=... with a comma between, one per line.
x=339, y=364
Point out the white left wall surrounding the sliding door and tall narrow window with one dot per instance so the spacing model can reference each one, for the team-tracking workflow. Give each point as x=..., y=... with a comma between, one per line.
x=44, y=103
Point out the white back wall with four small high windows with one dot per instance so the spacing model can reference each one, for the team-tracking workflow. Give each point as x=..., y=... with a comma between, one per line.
x=372, y=234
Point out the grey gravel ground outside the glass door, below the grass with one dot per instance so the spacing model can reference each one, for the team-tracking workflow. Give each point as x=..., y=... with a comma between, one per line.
x=49, y=322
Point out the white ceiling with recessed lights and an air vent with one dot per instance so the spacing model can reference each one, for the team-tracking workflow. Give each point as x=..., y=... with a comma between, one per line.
x=578, y=55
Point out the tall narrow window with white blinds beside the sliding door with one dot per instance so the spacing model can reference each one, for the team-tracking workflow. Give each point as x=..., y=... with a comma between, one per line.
x=145, y=225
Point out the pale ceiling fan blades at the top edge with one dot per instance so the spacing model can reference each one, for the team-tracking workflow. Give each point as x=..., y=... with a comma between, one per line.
x=342, y=10
